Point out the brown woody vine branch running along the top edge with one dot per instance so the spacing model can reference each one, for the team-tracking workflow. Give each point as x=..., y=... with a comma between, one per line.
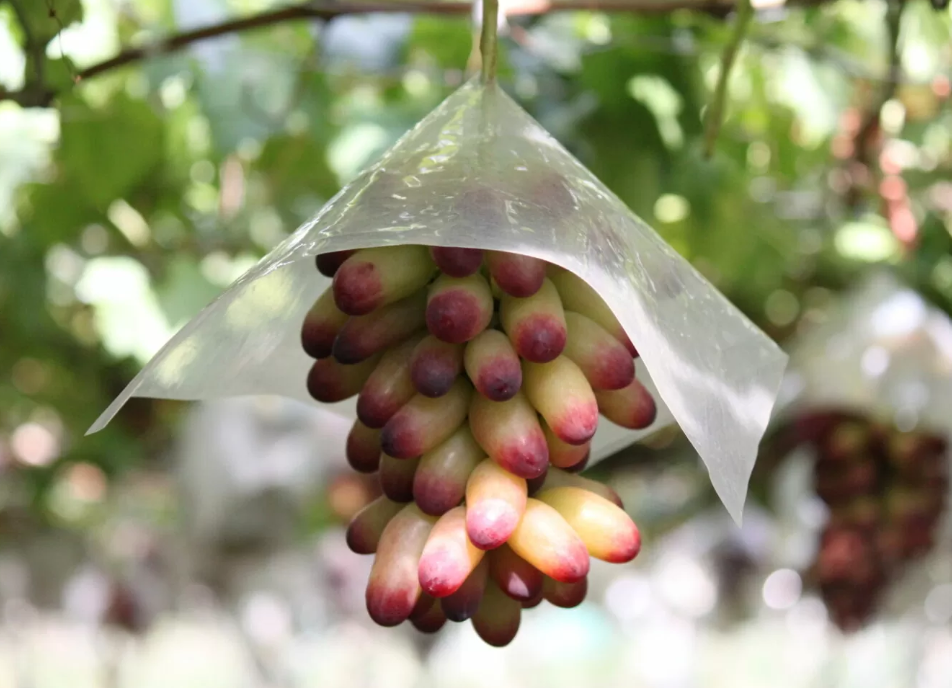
x=37, y=94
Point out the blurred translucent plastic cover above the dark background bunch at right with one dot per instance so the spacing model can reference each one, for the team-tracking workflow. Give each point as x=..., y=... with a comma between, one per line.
x=882, y=351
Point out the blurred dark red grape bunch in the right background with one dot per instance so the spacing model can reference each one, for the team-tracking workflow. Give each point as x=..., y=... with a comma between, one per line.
x=886, y=492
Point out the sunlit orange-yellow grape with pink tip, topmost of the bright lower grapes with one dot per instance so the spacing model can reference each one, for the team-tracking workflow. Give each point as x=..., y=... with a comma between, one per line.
x=495, y=501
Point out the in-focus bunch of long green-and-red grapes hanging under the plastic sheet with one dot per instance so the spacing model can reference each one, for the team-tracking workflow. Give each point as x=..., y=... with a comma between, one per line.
x=479, y=377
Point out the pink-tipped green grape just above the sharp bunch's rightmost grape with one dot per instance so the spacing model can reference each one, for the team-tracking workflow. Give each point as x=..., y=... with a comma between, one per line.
x=604, y=360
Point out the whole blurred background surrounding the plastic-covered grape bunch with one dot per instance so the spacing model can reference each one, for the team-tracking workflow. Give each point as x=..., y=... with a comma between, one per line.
x=202, y=545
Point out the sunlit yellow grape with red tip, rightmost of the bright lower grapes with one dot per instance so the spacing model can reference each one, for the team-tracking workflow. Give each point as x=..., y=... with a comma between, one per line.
x=607, y=531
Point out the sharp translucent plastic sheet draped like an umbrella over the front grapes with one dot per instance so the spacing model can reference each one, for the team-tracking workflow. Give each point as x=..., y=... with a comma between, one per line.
x=479, y=172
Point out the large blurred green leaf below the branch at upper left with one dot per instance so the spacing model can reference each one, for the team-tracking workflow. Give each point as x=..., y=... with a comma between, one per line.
x=108, y=152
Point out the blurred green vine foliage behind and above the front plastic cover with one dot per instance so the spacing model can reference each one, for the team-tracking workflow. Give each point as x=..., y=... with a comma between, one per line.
x=140, y=194
